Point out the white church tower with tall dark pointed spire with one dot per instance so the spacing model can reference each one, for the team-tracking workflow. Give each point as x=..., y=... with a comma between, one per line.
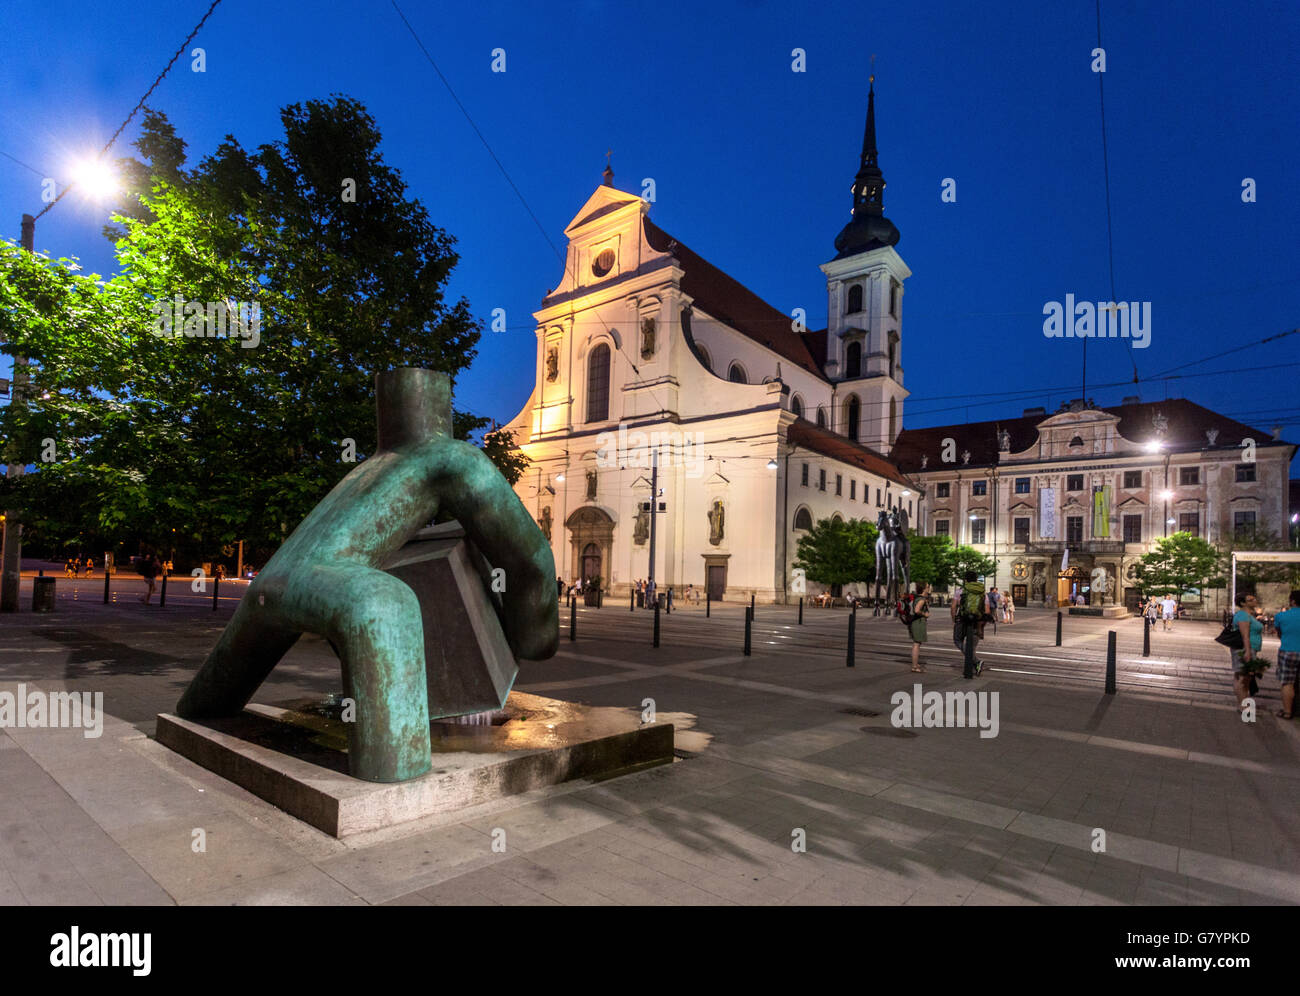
x=865, y=310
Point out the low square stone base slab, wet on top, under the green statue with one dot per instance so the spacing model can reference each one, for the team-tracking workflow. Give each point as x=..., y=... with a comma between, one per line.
x=294, y=756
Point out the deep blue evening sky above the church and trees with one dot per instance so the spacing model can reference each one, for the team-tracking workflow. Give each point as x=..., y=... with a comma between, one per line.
x=753, y=162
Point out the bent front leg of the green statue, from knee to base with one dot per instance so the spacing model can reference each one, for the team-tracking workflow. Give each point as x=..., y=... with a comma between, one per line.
x=375, y=625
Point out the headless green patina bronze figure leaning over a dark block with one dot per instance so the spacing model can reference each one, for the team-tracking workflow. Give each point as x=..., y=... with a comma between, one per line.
x=326, y=579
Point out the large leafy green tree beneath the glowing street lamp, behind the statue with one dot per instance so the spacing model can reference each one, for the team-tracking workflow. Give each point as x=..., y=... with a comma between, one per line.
x=239, y=438
